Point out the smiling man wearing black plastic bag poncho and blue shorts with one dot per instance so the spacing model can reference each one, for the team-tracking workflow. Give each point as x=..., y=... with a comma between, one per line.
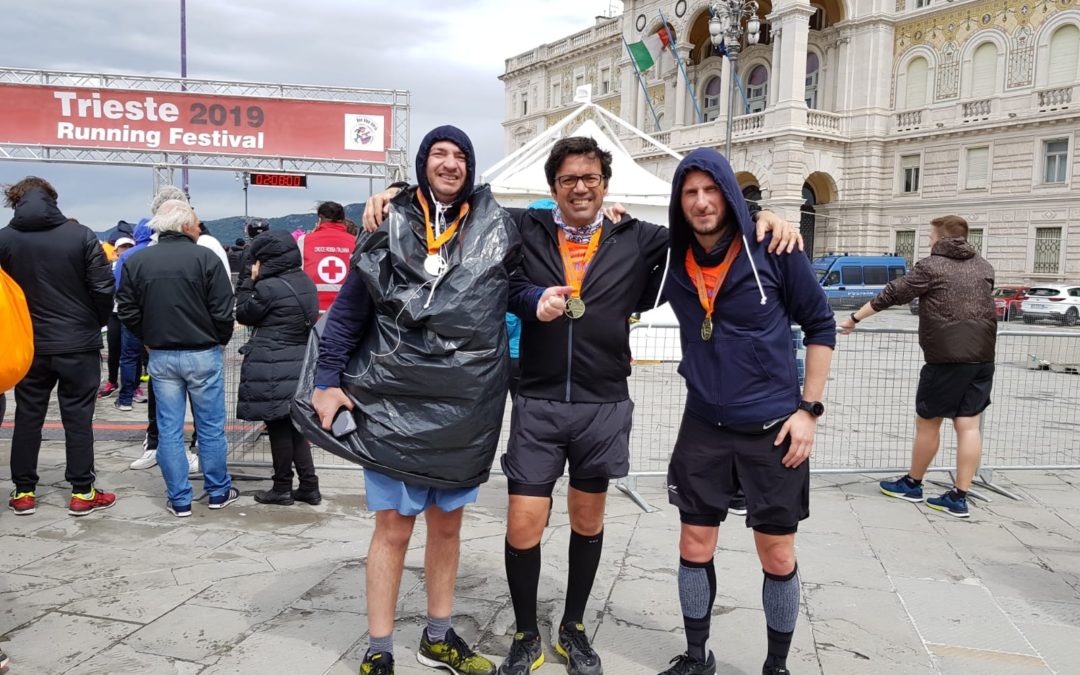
x=415, y=346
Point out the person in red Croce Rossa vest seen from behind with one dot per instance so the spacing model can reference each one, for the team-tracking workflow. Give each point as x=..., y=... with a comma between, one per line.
x=327, y=252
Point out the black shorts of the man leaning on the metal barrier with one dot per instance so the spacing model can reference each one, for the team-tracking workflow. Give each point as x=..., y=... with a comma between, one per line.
x=954, y=390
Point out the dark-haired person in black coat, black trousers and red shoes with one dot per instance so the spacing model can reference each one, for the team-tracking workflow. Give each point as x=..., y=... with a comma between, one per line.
x=62, y=268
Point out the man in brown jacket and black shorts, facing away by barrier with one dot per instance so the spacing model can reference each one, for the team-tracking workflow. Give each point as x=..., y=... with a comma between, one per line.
x=958, y=334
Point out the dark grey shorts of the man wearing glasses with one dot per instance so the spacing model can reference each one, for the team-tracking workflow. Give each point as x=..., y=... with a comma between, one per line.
x=545, y=436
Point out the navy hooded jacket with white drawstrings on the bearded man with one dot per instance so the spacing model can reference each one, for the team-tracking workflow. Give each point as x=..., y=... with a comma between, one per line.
x=746, y=374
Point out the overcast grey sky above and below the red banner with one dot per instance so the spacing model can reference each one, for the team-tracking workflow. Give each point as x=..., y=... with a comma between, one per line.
x=448, y=55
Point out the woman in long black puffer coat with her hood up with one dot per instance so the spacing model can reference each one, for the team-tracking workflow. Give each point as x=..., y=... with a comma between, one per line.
x=280, y=302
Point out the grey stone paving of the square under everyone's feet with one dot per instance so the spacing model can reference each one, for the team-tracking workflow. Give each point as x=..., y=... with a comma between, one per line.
x=887, y=586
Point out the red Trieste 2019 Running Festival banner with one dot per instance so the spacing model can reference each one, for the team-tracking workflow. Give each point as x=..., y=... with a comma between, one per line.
x=204, y=124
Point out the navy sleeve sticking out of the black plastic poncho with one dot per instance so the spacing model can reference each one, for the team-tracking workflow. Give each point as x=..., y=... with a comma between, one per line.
x=348, y=320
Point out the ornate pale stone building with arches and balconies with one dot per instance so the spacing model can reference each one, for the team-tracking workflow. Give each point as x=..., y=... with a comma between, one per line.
x=865, y=118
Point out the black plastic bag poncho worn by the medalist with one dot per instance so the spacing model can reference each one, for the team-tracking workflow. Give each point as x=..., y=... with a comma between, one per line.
x=430, y=376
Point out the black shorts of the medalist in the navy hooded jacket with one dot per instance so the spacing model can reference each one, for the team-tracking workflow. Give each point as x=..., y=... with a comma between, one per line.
x=710, y=464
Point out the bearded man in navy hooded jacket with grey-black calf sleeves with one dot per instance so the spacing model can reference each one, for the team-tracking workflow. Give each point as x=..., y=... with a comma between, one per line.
x=746, y=423
